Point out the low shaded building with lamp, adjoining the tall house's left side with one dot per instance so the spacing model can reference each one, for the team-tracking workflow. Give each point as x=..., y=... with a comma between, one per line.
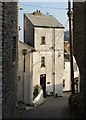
x=27, y=76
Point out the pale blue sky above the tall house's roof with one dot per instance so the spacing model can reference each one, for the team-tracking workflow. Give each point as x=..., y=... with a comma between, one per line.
x=57, y=9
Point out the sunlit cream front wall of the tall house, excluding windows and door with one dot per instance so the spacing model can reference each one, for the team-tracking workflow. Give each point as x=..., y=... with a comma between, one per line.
x=46, y=51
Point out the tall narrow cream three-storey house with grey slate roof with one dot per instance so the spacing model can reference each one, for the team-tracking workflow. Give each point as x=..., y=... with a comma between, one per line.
x=46, y=34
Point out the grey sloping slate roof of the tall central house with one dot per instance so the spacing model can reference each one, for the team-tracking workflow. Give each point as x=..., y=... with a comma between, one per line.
x=44, y=20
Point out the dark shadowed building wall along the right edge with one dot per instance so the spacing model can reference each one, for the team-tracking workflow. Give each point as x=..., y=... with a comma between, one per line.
x=80, y=49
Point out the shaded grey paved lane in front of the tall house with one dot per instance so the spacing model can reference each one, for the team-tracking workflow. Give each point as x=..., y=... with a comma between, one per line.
x=52, y=108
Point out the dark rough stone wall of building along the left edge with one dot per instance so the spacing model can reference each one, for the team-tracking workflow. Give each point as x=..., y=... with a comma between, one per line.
x=8, y=58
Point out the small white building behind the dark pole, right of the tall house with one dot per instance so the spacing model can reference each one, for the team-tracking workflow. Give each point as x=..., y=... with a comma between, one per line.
x=67, y=74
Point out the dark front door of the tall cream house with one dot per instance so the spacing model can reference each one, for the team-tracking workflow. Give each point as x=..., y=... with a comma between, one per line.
x=43, y=83
